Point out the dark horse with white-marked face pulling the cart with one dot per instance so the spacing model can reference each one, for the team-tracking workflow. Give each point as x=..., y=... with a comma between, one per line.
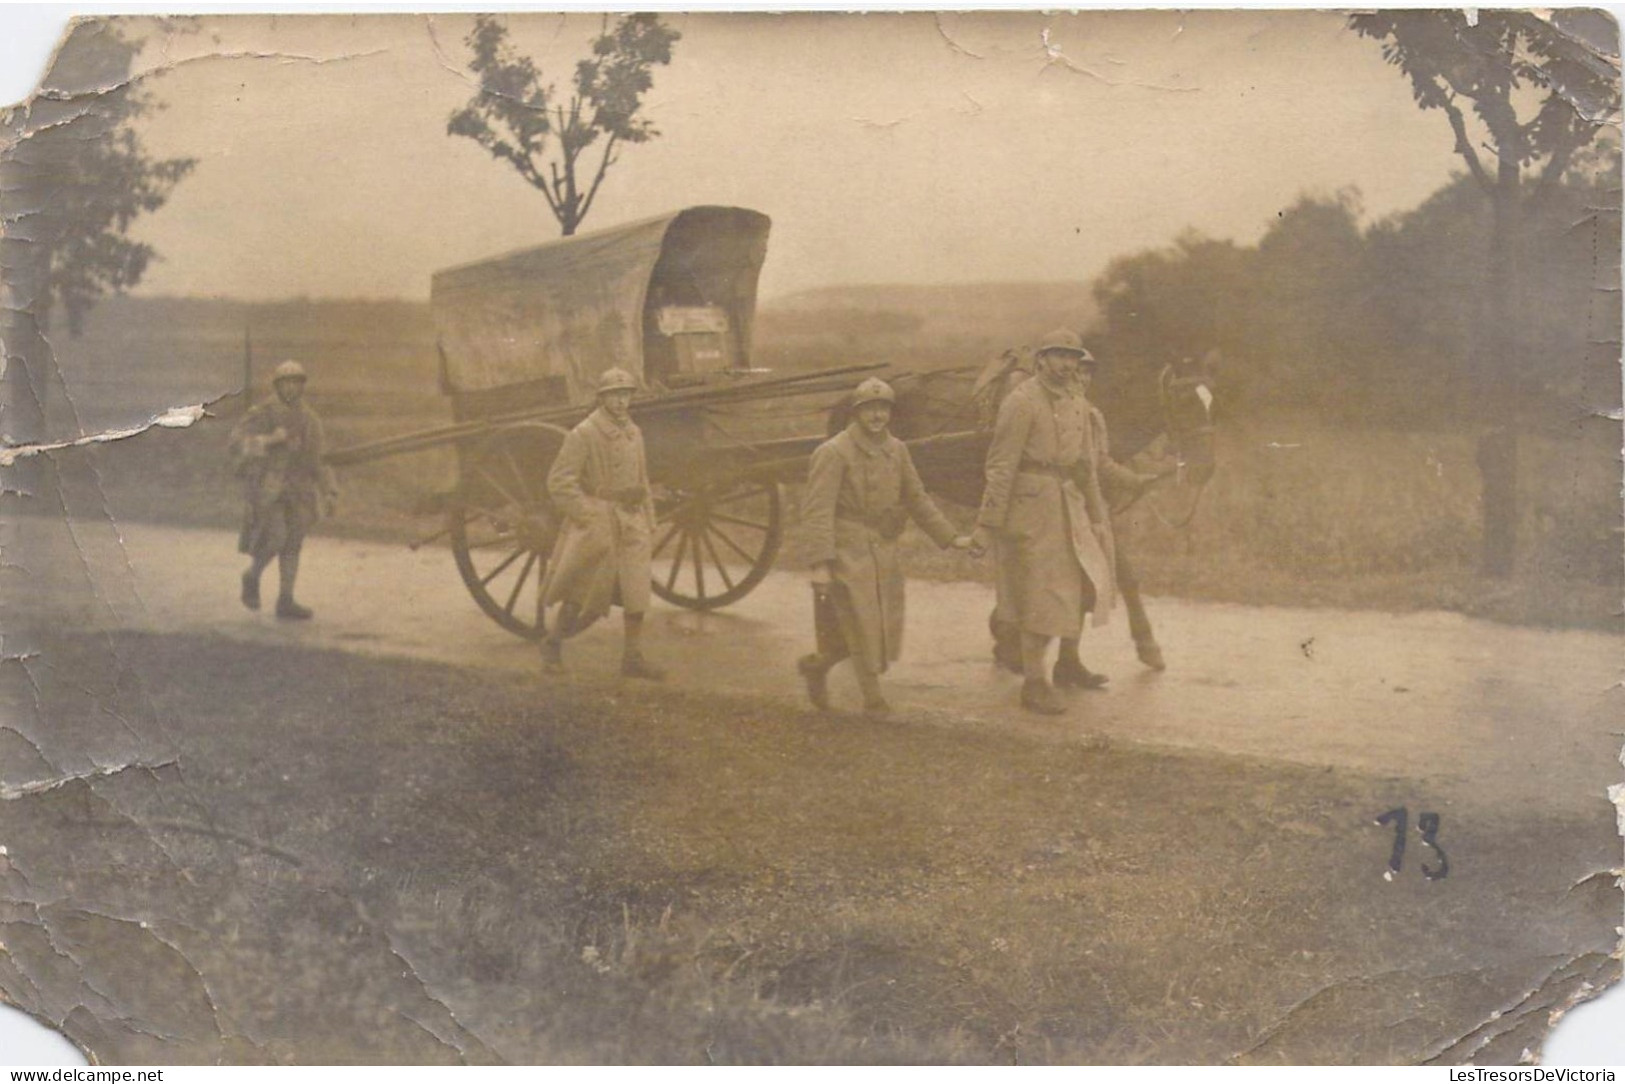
x=947, y=418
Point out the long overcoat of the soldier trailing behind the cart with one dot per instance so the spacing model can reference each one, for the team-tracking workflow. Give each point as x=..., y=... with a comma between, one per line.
x=277, y=451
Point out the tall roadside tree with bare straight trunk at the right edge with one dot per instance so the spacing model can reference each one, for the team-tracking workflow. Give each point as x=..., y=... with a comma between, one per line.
x=1538, y=93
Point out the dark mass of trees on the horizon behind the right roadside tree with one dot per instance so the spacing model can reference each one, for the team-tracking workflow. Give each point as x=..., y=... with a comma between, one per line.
x=1382, y=323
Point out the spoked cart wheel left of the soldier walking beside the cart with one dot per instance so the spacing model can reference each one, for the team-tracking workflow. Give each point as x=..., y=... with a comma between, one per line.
x=503, y=526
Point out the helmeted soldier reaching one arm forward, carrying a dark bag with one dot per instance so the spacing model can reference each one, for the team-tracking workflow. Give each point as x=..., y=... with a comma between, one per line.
x=862, y=492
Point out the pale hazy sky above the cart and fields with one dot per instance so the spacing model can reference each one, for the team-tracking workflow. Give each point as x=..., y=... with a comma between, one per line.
x=885, y=147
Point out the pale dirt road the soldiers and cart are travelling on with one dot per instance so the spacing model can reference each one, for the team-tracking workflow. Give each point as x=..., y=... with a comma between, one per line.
x=1515, y=714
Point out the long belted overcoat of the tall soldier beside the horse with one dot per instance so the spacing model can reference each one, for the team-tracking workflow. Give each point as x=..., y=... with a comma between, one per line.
x=1052, y=529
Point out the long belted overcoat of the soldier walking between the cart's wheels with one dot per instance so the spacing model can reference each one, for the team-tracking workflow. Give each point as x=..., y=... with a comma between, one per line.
x=600, y=485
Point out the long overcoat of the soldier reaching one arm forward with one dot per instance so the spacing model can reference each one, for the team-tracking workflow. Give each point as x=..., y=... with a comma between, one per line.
x=860, y=492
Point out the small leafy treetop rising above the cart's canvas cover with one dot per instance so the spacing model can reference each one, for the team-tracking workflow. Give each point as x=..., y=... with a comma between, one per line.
x=514, y=116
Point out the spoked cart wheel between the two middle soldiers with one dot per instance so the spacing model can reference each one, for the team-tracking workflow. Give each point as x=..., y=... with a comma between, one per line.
x=714, y=545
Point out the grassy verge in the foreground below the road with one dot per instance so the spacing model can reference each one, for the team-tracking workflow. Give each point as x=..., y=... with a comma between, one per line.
x=370, y=861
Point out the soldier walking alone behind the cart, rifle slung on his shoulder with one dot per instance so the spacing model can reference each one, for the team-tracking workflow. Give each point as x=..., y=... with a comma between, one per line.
x=279, y=454
